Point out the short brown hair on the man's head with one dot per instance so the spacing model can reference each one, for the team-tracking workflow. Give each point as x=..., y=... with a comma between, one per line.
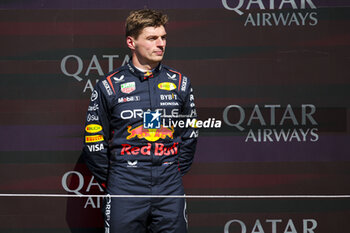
x=138, y=20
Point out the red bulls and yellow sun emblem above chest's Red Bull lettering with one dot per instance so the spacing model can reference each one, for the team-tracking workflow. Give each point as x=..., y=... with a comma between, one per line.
x=150, y=135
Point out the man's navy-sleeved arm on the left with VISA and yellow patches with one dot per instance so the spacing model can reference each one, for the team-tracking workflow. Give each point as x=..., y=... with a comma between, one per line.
x=96, y=135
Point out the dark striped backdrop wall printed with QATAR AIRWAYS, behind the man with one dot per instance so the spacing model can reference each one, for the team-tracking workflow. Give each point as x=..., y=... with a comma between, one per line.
x=279, y=68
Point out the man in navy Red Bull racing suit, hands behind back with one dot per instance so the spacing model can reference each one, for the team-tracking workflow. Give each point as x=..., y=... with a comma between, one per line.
x=131, y=145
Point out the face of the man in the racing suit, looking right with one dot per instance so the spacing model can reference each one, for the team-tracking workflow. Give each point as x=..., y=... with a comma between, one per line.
x=149, y=47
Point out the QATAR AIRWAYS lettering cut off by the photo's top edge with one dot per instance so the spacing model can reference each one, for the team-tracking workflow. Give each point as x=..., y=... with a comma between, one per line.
x=273, y=12
